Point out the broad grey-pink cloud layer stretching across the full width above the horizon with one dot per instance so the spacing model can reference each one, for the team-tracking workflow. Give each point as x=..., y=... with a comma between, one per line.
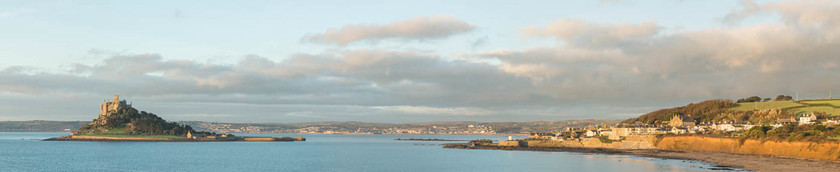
x=594, y=70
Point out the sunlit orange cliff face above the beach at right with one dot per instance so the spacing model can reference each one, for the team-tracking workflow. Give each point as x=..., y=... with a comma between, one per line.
x=809, y=150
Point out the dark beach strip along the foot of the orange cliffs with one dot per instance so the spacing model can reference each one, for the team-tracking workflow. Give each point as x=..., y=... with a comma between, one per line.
x=723, y=160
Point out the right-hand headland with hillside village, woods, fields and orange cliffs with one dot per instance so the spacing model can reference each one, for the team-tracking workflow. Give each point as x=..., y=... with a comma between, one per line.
x=752, y=134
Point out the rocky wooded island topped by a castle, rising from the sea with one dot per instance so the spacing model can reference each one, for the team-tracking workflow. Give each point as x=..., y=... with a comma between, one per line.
x=118, y=121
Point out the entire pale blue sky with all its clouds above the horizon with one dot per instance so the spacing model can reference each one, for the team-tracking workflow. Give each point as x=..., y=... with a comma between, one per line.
x=409, y=61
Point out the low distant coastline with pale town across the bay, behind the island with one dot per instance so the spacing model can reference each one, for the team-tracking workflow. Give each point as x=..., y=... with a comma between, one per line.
x=460, y=128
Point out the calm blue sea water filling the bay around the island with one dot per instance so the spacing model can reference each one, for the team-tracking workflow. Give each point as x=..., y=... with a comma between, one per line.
x=25, y=152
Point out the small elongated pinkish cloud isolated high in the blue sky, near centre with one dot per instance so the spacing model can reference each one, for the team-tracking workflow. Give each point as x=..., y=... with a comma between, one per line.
x=420, y=28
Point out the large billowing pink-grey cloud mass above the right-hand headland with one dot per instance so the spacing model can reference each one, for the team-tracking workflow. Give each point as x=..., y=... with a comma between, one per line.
x=598, y=61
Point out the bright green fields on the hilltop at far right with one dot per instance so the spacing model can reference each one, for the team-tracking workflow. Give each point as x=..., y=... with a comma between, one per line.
x=829, y=106
